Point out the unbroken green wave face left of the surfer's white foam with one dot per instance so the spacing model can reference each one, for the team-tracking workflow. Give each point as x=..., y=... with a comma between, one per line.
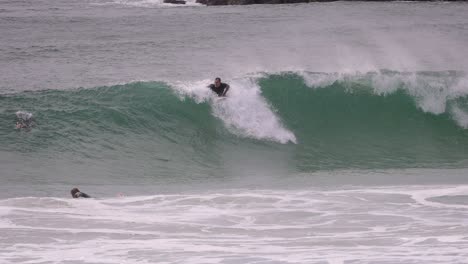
x=123, y=129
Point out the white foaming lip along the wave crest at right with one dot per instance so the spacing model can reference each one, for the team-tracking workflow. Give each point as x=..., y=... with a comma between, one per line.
x=431, y=91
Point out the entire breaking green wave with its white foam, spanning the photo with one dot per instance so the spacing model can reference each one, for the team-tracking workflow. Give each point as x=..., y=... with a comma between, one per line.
x=310, y=122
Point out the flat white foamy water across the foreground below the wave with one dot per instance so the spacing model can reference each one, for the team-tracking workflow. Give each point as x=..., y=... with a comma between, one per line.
x=379, y=225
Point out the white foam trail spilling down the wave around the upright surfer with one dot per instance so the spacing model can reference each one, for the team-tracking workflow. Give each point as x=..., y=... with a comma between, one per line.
x=245, y=112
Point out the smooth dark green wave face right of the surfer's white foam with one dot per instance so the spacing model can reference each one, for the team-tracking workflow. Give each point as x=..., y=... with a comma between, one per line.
x=349, y=123
